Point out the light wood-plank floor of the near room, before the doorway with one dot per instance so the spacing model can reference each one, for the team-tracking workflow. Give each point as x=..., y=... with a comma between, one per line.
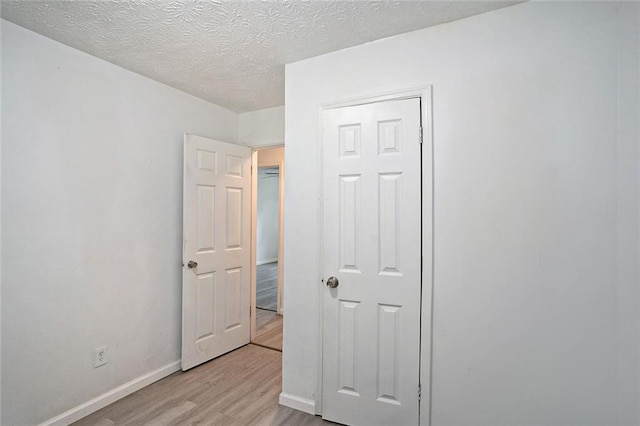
x=239, y=388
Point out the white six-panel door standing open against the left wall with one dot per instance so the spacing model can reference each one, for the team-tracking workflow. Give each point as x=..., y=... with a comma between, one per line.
x=216, y=251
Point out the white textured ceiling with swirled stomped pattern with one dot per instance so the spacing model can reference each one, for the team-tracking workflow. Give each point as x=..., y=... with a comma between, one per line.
x=231, y=53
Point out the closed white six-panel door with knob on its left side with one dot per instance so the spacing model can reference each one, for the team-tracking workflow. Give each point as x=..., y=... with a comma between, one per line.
x=372, y=246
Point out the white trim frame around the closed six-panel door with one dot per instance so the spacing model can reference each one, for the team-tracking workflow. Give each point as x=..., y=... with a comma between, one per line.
x=425, y=95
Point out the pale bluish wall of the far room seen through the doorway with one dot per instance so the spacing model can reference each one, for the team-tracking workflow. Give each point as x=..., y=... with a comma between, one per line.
x=267, y=216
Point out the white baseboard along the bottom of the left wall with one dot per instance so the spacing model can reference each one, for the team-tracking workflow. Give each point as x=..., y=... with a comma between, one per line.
x=113, y=395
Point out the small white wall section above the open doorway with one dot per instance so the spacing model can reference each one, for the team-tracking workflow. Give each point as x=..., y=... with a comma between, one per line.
x=264, y=127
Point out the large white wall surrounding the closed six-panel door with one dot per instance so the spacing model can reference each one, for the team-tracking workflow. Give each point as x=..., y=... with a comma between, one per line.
x=536, y=183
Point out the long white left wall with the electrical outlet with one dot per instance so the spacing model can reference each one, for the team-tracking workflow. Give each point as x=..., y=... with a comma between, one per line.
x=91, y=222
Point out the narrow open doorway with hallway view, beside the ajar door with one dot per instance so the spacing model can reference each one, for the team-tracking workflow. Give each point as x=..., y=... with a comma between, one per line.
x=267, y=283
